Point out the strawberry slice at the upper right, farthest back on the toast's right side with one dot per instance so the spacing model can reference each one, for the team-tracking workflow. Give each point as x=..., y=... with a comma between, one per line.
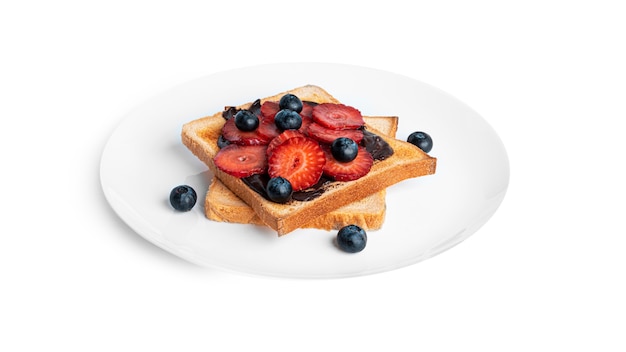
x=337, y=116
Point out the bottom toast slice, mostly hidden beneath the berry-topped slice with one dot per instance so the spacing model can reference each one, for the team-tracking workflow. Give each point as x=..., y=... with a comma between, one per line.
x=221, y=204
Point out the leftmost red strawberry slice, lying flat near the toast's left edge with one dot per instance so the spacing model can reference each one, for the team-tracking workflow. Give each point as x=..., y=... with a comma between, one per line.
x=240, y=160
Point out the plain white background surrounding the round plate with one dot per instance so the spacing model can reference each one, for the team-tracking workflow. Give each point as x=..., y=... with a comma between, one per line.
x=546, y=273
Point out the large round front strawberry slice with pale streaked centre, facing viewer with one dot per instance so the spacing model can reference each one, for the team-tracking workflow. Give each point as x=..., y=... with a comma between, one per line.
x=300, y=160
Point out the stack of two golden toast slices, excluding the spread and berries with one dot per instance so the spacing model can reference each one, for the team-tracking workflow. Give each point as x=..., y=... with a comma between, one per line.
x=360, y=202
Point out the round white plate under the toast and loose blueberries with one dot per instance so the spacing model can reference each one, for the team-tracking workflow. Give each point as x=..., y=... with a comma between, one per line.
x=144, y=159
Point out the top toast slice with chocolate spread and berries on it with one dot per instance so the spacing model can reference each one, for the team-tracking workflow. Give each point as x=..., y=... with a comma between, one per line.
x=200, y=137
